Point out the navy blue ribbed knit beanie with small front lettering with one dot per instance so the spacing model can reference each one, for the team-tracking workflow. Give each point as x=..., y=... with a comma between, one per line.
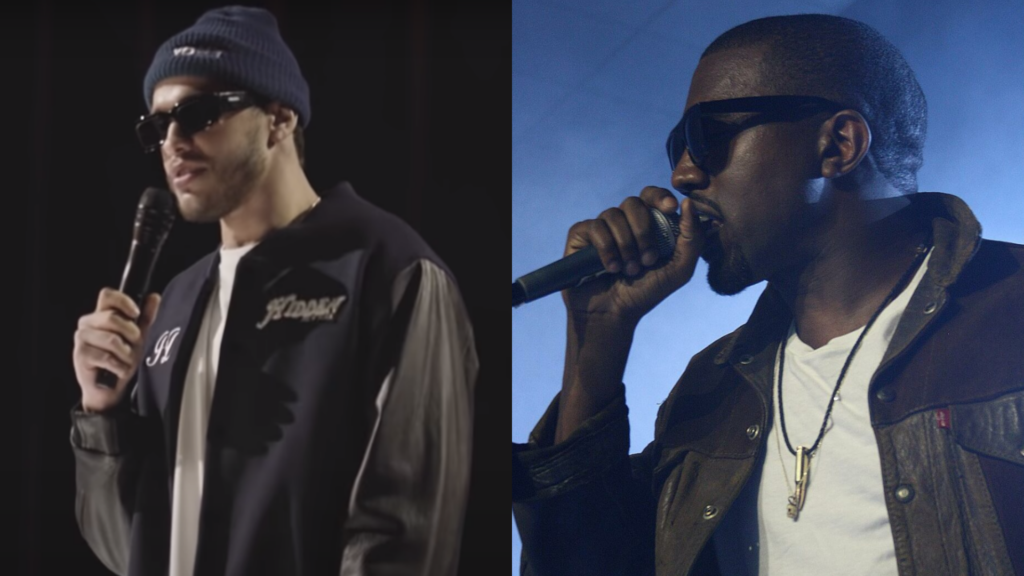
x=241, y=47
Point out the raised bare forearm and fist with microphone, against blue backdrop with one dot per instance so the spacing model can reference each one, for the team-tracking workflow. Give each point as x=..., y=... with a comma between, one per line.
x=605, y=309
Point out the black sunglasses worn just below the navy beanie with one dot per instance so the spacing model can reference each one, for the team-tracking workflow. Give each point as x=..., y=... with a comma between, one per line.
x=193, y=114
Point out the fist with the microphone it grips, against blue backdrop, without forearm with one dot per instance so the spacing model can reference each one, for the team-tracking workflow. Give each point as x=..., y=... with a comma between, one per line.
x=614, y=266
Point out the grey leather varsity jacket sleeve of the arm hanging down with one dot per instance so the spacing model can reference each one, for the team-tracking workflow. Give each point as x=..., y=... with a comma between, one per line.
x=409, y=502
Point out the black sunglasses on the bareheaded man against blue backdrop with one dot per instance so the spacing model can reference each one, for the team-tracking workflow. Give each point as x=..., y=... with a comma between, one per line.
x=697, y=132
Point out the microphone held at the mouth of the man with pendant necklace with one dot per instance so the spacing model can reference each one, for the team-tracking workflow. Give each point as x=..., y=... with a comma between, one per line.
x=585, y=265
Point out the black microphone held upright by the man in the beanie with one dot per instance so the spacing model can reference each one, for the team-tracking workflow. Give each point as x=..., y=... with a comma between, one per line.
x=154, y=219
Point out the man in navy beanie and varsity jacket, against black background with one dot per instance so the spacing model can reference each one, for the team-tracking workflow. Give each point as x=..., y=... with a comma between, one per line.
x=302, y=404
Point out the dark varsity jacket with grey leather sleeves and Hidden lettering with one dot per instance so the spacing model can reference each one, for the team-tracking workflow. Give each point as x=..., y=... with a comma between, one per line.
x=340, y=428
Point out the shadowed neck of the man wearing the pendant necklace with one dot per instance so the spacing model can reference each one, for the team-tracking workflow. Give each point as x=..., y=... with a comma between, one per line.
x=839, y=290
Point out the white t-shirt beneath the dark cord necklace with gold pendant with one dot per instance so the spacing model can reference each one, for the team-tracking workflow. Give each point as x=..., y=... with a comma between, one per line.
x=844, y=525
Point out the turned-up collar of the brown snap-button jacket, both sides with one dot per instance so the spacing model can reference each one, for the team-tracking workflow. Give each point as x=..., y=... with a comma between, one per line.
x=956, y=237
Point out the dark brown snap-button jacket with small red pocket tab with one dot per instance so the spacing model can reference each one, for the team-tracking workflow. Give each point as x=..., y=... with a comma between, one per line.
x=955, y=496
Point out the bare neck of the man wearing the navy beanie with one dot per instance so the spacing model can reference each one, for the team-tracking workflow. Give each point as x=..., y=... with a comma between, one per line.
x=284, y=195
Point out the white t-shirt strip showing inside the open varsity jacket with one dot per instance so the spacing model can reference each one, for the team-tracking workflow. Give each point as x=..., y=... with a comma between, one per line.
x=196, y=400
